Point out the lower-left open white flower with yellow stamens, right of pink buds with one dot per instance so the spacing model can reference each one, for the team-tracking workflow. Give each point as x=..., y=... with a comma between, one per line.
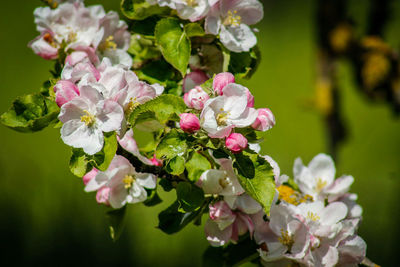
x=126, y=185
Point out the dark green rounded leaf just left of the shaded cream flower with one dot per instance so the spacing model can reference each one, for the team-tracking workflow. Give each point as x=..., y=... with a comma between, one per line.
x=190, y=196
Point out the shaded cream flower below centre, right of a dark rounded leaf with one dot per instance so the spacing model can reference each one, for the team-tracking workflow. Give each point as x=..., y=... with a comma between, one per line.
x=222, y=182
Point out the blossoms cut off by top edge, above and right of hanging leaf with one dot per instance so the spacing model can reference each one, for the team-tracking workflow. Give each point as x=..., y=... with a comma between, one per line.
x=229, y=19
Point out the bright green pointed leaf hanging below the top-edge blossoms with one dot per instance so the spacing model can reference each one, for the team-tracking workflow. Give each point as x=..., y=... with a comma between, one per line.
x=174, y=43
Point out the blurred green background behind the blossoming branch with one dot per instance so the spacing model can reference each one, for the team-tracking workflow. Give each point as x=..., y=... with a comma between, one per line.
x=48, y=220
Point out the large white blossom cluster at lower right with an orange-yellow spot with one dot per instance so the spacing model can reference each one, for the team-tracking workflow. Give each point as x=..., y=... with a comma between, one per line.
x=315, y=225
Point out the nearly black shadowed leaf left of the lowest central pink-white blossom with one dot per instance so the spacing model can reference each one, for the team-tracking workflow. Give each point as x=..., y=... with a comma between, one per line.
x=171, y=220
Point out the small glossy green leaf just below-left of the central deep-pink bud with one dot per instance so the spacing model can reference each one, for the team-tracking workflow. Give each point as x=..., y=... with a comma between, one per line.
x=171, y=145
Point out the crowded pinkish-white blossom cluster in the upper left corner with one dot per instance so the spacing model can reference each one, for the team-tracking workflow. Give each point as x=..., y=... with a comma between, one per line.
x=82, y=31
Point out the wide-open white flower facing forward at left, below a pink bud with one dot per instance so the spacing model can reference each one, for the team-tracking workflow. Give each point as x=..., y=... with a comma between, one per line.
x=85, y=119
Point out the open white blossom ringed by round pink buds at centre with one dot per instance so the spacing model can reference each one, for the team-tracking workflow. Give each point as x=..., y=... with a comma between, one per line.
x=229, y=106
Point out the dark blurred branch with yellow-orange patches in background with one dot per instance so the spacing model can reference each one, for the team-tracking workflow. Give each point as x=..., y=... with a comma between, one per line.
x=375, y=63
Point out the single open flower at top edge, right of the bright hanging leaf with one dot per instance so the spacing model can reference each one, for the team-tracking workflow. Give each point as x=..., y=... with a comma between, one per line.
x=230, y=19
